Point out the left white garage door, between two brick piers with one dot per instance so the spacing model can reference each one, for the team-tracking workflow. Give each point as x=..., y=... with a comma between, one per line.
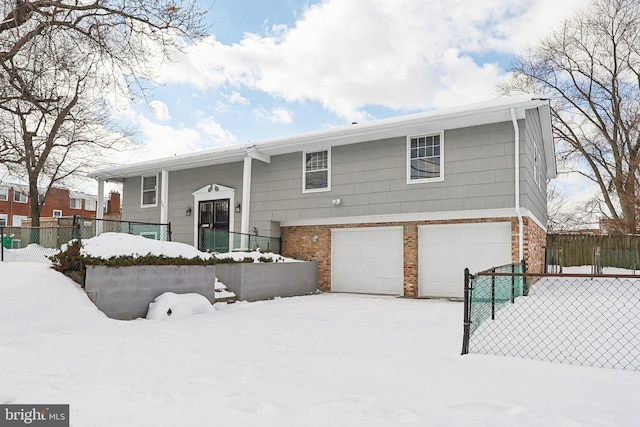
x=367, y=260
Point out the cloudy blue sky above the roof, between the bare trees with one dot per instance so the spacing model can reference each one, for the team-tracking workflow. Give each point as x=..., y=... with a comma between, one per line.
x=281, y=67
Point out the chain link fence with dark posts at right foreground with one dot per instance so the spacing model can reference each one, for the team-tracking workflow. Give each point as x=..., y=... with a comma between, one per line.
x=580, y=319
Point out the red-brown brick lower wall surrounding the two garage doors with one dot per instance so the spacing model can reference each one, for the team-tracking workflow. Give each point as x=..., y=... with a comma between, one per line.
x=313, y=243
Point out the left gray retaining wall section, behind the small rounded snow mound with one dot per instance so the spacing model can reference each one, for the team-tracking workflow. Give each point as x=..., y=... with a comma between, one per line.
x=125, y=293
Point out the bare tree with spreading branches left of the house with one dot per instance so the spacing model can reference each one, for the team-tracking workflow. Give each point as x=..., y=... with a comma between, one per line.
x=63, y=66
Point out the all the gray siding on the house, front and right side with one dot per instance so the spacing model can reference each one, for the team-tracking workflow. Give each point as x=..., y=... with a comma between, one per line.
x=370, y=178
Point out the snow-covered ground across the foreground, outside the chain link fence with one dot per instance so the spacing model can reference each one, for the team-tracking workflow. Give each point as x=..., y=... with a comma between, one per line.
x=318, y=360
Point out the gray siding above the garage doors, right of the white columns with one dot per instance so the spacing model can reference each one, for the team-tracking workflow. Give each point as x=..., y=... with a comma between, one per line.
x=370, y=179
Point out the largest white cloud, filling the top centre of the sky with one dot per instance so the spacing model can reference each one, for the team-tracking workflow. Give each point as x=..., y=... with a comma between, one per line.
x=402, y=54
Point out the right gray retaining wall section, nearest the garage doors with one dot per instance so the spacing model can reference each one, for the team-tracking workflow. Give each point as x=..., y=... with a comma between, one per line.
x=261, y=281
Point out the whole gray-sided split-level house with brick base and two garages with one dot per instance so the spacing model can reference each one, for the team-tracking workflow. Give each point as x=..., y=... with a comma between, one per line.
x=397, y=206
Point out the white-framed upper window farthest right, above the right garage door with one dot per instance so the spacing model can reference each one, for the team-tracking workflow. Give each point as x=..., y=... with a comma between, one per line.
x=424, y=158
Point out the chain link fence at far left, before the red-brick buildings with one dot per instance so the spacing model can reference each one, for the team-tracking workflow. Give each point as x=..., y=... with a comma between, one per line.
x=37, y=244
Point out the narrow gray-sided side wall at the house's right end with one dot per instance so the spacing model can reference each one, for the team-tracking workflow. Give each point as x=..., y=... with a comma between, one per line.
x=533, y=197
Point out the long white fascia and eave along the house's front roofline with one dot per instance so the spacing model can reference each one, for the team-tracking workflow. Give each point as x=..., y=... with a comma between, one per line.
x=495, y=111
